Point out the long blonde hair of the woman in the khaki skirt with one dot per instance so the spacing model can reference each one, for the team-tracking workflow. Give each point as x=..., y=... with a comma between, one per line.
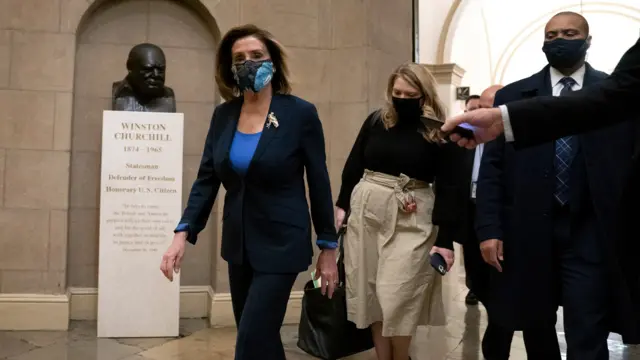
x=419, y=77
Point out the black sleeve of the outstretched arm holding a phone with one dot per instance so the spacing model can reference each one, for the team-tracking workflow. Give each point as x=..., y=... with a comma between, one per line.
x=543, y=119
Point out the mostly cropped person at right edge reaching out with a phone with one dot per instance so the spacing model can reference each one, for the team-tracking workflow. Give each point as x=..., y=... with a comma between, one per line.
x=538, y=120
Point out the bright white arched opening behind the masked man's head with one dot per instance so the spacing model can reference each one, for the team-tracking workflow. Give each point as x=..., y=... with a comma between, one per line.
x=500, y=41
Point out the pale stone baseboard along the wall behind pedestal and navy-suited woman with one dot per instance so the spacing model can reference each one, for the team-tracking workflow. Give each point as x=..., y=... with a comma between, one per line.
x=52, y=312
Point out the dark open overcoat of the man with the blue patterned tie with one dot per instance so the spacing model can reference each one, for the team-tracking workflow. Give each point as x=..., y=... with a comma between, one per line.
x=515, y=203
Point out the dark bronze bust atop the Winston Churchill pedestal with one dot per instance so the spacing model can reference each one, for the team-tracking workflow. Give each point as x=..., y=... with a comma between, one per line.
x=143, y=88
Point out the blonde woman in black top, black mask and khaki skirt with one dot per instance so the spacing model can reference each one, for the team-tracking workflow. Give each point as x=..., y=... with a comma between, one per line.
x=402, y=185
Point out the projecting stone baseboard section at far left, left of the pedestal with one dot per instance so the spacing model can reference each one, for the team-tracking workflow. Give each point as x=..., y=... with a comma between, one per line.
x=34, y=312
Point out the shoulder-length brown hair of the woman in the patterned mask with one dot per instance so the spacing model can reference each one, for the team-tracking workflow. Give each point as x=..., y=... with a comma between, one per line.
x=227, y=85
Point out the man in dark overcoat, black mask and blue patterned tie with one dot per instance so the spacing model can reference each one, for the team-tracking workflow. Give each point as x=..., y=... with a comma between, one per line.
x=551, y=206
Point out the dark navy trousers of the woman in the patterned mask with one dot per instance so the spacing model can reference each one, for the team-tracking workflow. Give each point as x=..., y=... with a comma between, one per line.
x=259, y=305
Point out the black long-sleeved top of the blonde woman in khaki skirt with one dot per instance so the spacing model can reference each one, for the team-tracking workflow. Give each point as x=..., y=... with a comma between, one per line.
x=402, y=149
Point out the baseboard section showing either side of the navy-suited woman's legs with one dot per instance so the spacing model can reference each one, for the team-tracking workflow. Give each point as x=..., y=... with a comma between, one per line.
x=221, y=312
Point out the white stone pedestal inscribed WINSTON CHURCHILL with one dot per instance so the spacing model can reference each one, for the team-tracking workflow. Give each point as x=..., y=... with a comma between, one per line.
x=140, y=203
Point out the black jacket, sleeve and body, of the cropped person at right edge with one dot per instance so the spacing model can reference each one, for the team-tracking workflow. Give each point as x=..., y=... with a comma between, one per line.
x=613, y=101
